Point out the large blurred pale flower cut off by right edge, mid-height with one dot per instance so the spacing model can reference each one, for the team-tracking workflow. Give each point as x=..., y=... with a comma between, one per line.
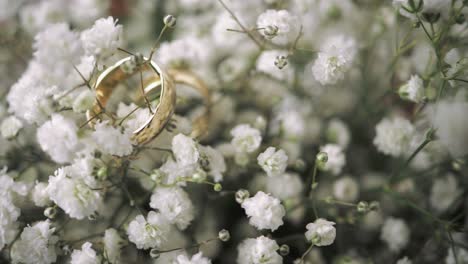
x=449, y=120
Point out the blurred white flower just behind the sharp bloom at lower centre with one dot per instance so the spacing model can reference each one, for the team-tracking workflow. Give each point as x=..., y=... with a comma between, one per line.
x=284, y=186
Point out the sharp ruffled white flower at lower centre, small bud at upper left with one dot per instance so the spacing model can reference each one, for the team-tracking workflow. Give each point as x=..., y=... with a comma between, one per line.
x=264, y=211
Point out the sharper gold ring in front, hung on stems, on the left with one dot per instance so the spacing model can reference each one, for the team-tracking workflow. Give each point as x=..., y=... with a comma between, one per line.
x=107, y=82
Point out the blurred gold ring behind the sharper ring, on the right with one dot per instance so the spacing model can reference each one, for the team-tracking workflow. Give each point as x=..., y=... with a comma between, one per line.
x=200, y=124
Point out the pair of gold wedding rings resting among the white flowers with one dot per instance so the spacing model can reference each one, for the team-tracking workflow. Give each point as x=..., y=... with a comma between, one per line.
x=160, y=81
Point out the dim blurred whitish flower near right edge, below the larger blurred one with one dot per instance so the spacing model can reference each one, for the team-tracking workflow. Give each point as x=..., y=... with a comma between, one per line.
x=444, y=192
